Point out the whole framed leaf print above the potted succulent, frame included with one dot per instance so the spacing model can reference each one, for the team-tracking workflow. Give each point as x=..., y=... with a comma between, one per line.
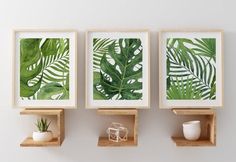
x=45, y=69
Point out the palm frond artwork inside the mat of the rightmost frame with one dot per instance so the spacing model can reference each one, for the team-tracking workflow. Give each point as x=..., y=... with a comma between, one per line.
x=191, y=71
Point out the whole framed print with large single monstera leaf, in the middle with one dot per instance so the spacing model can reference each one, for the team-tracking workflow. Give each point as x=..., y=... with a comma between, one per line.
x=117, y=69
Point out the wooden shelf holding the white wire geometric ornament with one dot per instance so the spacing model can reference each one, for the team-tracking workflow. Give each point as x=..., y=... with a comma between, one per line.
x=132, y=141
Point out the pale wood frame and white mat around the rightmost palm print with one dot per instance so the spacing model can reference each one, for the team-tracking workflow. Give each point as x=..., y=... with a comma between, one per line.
x=164, y=103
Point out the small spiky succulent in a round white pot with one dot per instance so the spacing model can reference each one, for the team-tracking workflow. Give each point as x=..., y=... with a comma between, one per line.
x=43, y=134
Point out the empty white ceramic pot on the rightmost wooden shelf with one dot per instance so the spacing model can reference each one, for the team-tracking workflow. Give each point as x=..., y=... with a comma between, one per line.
x=192, y=130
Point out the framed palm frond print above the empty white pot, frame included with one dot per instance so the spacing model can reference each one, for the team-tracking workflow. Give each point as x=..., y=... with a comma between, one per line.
x=191, y=69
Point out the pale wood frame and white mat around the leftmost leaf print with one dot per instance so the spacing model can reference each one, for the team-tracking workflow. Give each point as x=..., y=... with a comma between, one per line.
x=71, y=103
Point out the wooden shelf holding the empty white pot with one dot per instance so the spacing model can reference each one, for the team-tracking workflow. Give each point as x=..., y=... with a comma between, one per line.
x=209, y=127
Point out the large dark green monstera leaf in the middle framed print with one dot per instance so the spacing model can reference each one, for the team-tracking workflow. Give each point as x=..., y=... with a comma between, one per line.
x=120, y=75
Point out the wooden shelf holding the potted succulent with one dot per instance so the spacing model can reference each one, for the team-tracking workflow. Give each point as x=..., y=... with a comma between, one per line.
x=56, y=141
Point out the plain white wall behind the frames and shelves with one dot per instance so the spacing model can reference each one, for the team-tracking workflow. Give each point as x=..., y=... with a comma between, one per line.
x=83, y=126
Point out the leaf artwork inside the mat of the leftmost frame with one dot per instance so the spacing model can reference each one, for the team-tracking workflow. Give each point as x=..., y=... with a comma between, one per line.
x=44, y=68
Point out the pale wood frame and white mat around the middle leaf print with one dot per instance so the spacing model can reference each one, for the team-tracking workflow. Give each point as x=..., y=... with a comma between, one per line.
x=144, y=103
